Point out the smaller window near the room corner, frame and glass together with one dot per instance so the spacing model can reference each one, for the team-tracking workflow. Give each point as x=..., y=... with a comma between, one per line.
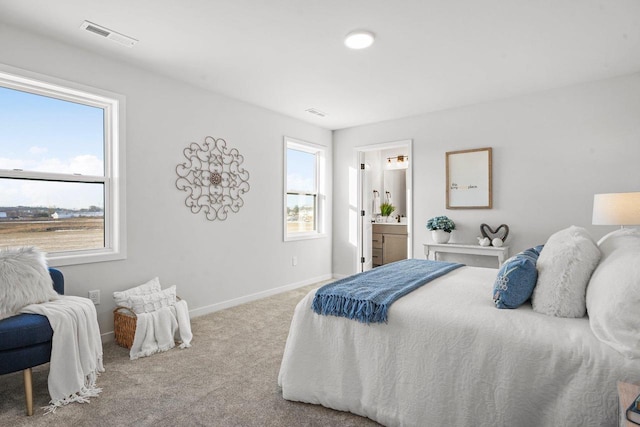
x=304, y=190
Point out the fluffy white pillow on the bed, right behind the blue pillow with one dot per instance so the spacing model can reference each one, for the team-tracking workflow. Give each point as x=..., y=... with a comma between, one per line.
x=564, y=268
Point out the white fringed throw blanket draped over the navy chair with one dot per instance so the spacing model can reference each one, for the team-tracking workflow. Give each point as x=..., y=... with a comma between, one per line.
x=76, y=350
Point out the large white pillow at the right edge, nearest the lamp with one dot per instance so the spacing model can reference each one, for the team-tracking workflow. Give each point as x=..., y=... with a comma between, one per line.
x=613, y=295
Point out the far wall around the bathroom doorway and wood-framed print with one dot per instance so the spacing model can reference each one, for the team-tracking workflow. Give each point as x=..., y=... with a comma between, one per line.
x=552, y=151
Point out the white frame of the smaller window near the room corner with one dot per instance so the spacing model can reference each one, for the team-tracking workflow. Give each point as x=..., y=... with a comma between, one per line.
x=320, y=153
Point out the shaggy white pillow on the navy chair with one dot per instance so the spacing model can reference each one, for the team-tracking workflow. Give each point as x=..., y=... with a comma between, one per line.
x=24, y=280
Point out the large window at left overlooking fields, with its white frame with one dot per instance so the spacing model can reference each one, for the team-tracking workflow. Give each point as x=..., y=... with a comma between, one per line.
x=60, y=184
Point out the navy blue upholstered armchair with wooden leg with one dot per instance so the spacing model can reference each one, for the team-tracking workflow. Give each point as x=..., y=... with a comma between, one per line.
x=25, y=342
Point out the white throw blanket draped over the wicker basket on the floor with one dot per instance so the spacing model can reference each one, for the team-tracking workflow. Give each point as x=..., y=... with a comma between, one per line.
x=157, y=331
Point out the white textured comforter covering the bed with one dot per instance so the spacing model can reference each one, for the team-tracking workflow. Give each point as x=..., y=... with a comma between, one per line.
x=448, y=357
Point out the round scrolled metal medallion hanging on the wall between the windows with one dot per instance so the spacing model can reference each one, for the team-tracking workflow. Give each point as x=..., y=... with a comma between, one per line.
x=213, y=178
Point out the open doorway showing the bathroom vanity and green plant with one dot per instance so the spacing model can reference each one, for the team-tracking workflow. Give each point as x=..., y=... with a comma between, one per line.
x=385, y=181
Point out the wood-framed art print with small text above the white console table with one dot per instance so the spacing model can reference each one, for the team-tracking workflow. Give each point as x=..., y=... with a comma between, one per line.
x=469, y=179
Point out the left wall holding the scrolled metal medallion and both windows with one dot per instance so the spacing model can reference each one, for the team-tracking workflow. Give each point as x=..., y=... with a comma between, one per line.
x=213, y=264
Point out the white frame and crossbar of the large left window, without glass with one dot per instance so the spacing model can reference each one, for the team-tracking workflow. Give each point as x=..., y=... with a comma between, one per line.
x=114, y=139
